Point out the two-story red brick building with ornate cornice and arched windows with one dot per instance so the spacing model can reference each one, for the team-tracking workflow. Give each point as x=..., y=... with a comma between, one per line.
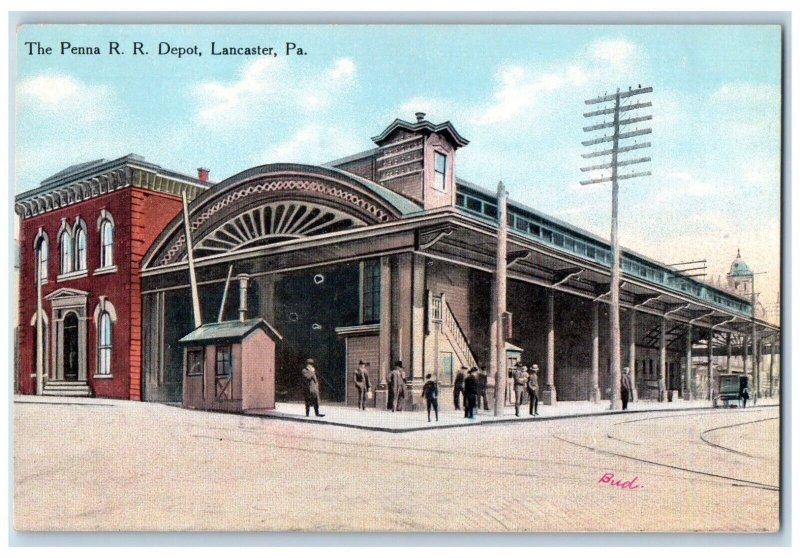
x=88, y=227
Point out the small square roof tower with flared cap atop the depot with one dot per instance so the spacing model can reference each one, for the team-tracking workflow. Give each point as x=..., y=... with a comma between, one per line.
x=417, y=160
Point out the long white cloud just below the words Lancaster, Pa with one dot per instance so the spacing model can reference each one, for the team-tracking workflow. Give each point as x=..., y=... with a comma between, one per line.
x=268, y=85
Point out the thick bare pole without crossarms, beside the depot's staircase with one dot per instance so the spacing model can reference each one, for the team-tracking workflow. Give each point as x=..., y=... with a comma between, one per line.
x=500, y=300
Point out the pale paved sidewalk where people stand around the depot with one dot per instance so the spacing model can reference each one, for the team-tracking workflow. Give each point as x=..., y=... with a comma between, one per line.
x=410, y=421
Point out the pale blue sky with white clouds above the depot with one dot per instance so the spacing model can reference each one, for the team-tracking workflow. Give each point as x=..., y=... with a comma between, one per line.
x=516, y=92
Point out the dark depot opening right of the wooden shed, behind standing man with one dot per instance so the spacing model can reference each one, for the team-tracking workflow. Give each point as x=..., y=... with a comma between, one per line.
x=309, y=306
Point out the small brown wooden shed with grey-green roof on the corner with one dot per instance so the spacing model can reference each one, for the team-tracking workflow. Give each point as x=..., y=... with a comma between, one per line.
x=230, y=366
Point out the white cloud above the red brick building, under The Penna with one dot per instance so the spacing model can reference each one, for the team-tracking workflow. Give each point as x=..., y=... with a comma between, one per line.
x=64, y=97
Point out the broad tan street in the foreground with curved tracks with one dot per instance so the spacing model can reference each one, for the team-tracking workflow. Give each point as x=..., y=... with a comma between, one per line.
x=108, y=465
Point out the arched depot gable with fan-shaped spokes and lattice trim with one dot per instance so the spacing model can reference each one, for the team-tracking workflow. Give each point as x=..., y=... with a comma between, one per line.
x=276, y=202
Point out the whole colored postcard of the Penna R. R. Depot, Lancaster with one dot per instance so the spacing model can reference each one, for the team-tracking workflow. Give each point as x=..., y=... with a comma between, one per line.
x=398, y=278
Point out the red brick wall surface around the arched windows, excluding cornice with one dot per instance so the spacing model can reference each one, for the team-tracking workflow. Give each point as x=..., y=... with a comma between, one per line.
x=139, y=216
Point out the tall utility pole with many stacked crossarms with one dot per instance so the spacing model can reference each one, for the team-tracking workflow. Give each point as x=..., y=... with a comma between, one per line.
x=616, y=125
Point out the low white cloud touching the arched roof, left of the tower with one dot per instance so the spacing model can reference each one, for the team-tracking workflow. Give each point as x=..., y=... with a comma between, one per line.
x=313, y=143
